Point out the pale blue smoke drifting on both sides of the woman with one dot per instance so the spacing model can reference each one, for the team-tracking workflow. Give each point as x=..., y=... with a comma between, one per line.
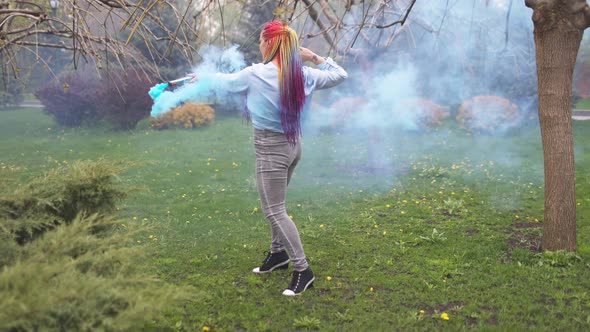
x=464, y=61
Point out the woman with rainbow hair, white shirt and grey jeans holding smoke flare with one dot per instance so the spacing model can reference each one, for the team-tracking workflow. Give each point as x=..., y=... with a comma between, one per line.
x=277, y=92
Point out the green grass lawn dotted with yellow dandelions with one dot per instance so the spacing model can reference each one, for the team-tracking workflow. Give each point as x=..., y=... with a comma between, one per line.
x=445, y=225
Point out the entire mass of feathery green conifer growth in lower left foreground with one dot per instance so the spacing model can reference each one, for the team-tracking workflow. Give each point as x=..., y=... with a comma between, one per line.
x=84, y=270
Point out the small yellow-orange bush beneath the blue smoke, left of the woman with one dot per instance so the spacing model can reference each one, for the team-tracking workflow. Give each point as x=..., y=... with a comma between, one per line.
x=189, y=115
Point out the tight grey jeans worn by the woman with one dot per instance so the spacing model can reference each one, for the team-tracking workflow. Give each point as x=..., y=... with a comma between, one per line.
x=276, y=159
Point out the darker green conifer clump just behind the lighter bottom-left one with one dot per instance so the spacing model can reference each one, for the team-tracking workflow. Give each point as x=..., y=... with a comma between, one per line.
x=59, y=196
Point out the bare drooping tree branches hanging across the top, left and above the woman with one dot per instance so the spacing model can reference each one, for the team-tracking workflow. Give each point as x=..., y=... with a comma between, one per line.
x=101, y=31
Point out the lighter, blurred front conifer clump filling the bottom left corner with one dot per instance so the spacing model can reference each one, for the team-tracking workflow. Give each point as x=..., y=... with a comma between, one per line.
x=75, y=279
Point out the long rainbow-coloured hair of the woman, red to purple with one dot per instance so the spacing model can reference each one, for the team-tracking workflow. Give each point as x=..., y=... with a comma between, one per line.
x=284, y=44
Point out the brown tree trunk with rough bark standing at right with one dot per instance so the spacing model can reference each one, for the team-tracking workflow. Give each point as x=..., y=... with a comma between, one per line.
x=558, y=34
